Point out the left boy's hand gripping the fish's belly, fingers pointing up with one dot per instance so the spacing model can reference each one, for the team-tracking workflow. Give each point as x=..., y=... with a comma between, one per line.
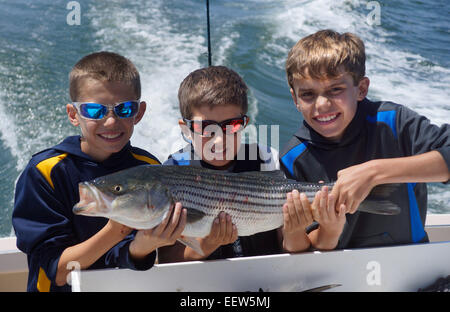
x=166, y=233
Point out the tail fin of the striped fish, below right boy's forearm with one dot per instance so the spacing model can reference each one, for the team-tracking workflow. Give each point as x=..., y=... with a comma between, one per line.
x=379, y=201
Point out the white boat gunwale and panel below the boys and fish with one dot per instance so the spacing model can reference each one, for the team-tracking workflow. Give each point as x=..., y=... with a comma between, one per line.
x=394, y=265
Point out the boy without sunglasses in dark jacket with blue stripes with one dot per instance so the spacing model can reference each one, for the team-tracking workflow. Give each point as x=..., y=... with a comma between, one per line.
x=359, y=144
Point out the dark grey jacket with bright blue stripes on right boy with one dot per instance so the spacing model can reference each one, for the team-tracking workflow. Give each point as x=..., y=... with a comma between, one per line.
x=378, y=130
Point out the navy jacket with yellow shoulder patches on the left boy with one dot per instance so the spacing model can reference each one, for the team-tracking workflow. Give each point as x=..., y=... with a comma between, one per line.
x=43, y=220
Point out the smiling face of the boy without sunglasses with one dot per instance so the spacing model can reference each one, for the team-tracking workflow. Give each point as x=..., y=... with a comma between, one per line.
x=329, y=105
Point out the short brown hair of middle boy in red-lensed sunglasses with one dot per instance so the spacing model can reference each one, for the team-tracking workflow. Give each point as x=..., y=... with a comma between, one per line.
x=212, y=86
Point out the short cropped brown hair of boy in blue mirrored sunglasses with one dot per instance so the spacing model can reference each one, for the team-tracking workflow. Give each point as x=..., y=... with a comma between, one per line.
x=104, y=66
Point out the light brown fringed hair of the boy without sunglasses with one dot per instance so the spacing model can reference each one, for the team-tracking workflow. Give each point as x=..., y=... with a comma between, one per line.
x=323, y=54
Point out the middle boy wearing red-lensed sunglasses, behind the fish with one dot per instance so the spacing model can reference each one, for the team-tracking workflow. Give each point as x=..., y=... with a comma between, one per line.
x=213, y=104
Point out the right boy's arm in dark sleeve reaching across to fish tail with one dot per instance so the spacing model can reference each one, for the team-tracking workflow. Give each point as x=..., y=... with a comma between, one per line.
x=426, y=150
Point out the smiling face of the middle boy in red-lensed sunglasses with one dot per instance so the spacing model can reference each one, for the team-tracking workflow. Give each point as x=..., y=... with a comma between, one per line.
x=217, y=149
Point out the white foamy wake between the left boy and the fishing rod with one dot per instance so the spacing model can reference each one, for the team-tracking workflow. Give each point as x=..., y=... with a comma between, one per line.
x=163, y=57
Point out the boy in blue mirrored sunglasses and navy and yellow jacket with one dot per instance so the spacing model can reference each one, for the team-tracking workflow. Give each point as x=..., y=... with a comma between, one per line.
x=105, y=88
